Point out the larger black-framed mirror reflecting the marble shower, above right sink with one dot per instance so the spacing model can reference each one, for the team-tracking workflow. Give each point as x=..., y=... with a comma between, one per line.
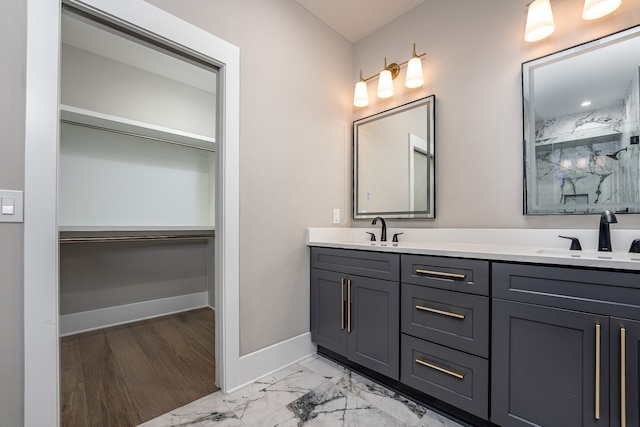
x=581, y=151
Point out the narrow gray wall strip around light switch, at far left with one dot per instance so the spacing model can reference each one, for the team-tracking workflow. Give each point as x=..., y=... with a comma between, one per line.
x=12, y=103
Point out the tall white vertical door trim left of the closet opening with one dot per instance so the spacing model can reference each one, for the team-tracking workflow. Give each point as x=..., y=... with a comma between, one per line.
x=41, y=372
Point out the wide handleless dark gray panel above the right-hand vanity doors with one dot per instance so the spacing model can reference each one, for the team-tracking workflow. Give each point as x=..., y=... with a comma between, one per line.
x=596, y=291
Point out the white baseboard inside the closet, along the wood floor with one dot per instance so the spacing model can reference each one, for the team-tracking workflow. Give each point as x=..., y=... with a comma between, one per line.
x=96, y=319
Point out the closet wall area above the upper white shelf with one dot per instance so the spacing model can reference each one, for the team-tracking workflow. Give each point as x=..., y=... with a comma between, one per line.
x=125, y=91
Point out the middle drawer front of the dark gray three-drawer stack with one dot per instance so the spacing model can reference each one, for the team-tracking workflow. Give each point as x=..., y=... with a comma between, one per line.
x=457, y=320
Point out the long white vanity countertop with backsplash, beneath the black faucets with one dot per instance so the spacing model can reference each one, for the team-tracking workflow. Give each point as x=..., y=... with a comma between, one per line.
x=542, y=246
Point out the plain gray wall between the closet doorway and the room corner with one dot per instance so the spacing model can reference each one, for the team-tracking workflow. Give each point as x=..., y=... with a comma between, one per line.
x=295, y=143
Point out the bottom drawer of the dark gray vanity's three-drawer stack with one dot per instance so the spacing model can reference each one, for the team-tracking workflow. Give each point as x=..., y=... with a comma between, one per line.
x=457, y=378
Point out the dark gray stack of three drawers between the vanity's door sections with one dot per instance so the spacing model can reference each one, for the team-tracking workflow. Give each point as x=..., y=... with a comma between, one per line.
x=445, y=330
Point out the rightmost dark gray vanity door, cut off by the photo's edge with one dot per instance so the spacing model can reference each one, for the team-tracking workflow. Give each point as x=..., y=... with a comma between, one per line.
x=625, y=399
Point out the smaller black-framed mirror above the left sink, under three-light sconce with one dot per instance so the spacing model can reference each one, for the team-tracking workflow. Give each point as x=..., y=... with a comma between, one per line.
x=394, y=162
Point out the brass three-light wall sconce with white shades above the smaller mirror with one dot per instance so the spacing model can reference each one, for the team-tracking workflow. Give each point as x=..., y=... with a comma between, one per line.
x=414, y=78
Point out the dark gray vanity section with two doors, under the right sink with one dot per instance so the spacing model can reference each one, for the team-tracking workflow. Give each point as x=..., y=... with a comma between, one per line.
x=556, y=354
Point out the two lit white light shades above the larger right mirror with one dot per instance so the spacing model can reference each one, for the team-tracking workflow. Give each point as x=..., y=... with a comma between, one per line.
x=540, y=18
